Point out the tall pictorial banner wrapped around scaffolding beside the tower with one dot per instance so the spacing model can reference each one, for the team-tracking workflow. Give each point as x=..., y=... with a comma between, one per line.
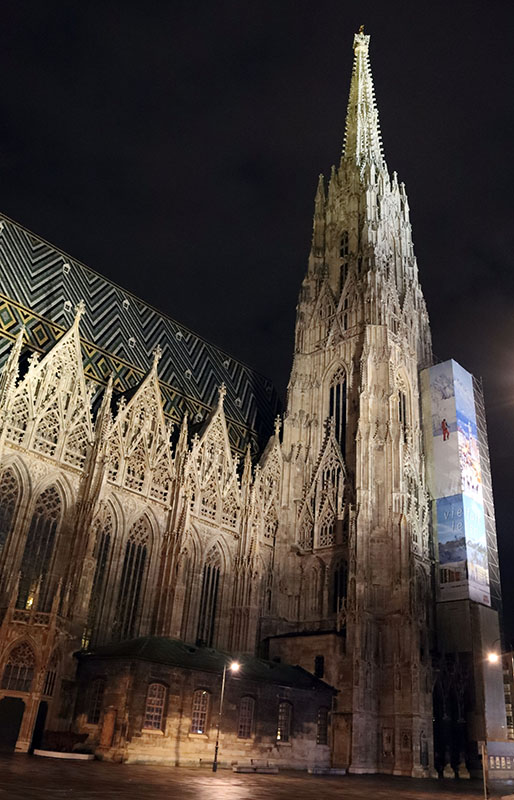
x=455, y=481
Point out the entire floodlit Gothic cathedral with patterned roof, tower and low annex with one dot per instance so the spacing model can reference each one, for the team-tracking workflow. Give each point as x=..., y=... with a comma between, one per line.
x=158, y=515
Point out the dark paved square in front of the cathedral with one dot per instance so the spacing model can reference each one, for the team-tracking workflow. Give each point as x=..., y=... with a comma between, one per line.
x=27, y=778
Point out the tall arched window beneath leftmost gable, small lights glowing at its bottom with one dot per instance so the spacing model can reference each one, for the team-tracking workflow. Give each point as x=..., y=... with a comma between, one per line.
x=39, y=547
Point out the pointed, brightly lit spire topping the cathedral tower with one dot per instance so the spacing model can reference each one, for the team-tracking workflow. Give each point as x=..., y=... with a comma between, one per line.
x=362, y=139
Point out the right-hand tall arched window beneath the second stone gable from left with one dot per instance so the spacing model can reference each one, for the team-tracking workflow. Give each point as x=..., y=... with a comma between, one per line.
x=132, y=574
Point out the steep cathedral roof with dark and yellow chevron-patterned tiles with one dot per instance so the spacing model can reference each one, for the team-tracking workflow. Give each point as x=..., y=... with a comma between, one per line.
x=40, y=287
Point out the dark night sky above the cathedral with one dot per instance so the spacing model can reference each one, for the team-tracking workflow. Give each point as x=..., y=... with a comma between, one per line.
x=175, y=148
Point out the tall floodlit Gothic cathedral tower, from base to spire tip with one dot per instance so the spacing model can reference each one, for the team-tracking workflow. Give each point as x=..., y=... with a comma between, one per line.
x=352, y=581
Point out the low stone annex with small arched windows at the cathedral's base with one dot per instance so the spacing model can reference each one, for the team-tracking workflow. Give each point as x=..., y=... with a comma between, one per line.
x=153, y=711
